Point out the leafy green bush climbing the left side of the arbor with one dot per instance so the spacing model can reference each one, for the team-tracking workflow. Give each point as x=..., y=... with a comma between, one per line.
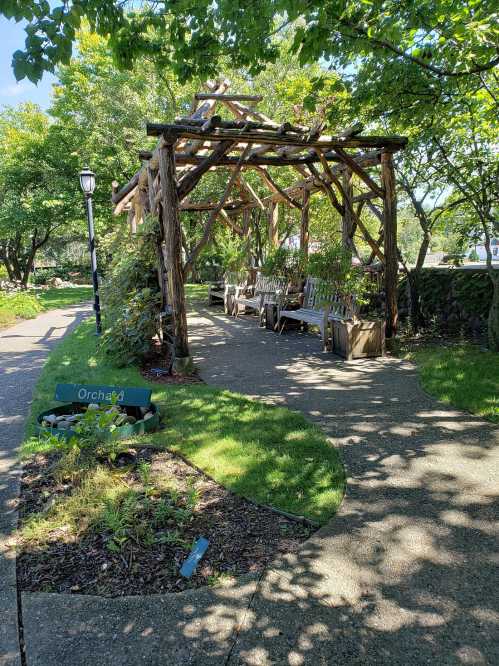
x=131, y=303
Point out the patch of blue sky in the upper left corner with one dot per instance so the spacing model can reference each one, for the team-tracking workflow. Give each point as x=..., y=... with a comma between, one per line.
x=12, y=93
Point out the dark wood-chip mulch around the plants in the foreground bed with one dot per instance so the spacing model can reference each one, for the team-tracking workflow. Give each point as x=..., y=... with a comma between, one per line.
x=243, y=538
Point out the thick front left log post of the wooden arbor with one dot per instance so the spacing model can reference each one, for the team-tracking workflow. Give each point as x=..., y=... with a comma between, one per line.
x=172, y=233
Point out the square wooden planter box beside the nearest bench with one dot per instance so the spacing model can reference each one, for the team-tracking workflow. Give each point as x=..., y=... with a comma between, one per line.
x=360, y=339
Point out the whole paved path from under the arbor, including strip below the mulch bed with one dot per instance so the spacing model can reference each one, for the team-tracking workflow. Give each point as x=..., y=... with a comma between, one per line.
x=405, y=574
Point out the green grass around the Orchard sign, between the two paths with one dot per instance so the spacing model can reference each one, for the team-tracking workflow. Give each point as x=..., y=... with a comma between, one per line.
x=267, y=454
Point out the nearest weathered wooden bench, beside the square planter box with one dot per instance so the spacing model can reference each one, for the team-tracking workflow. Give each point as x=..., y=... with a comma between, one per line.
x=321, y=306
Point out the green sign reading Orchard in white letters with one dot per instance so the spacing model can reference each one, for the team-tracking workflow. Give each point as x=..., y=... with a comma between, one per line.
x=133, y=397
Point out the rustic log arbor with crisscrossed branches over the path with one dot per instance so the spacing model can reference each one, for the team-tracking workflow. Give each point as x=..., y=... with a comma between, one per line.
x=193, y=145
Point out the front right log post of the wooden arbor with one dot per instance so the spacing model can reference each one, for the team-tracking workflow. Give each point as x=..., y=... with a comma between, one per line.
x=390, y=242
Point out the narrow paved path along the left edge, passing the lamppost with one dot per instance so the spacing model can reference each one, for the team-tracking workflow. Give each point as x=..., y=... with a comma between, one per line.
x=23, y=350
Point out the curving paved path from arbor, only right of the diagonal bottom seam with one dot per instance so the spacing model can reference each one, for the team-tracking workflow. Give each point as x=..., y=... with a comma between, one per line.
x=407, y=571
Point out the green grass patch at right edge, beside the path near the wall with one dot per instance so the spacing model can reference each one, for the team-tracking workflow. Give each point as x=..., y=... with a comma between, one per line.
x=462, y=375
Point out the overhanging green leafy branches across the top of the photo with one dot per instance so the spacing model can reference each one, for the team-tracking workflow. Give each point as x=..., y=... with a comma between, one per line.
x=441, y=37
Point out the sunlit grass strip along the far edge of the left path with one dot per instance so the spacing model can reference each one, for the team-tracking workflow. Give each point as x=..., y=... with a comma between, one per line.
x=27, y=304
